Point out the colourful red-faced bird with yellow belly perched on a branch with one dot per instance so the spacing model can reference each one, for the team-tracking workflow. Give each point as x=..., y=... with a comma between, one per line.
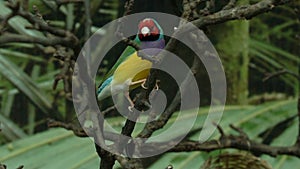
x=131, y=71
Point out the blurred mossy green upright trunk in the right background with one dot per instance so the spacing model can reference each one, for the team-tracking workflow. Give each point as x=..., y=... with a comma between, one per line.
x=231, y=41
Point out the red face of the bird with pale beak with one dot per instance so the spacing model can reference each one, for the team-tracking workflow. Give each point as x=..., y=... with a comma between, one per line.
x=148, y=30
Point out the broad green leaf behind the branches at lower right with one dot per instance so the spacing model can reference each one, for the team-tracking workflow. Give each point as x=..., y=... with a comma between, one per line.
x=252, y=119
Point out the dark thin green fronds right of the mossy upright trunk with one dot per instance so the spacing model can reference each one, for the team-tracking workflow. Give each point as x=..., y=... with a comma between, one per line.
x=274, y=45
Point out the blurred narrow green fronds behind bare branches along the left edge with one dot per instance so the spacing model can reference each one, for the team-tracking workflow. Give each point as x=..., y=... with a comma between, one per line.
x=26, y=82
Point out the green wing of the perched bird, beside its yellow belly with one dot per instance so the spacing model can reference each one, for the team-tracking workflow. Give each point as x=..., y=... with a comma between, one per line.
x=127, y=52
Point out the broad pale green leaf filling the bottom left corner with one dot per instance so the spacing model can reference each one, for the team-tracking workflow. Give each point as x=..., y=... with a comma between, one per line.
x=56, y=148
